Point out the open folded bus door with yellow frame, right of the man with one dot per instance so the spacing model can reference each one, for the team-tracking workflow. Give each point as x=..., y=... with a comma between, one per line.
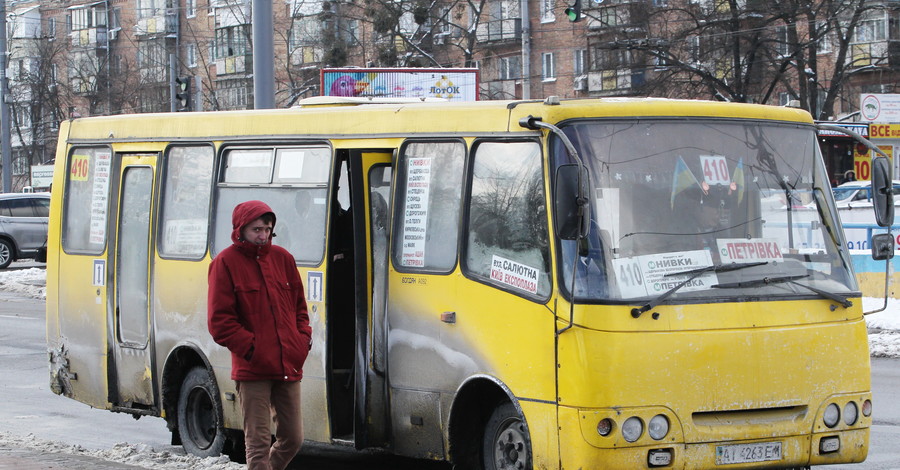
x=370, y=182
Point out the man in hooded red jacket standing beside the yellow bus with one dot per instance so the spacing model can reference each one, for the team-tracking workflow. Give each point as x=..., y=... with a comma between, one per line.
x=256, y=309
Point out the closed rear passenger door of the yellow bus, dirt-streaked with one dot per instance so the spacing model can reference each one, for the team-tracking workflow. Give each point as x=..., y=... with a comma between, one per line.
x=129, y=309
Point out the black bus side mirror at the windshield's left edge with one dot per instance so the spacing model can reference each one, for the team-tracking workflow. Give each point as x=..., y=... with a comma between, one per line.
x=573, y=212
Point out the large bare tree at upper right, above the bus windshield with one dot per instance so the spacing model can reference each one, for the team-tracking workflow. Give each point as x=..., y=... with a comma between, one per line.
x=744, y=51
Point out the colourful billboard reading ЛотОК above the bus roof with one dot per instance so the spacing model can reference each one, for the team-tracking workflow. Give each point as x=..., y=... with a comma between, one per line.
x=450, y=84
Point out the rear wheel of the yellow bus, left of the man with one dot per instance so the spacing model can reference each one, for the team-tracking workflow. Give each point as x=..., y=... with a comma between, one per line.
x=200, y=416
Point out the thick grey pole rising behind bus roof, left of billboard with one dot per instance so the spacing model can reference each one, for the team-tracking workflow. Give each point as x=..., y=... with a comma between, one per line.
x=263, y=55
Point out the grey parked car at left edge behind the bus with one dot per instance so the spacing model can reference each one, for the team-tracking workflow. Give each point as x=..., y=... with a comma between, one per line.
x=23, y=226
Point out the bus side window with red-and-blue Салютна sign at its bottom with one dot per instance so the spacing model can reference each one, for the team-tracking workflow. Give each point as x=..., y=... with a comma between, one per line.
x=507, y=242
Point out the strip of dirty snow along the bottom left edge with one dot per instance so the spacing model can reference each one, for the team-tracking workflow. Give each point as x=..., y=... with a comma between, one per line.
x=139, y=455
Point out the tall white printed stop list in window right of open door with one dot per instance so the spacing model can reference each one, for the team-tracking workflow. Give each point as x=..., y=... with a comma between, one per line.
x=415, y=216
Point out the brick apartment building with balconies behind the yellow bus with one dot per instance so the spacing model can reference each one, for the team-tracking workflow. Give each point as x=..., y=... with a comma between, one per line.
x=78, y=57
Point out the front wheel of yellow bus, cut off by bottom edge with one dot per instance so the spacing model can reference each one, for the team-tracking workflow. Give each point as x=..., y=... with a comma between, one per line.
x=506, y=441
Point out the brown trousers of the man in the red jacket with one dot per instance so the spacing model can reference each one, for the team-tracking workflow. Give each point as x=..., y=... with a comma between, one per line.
x=261, y=401
